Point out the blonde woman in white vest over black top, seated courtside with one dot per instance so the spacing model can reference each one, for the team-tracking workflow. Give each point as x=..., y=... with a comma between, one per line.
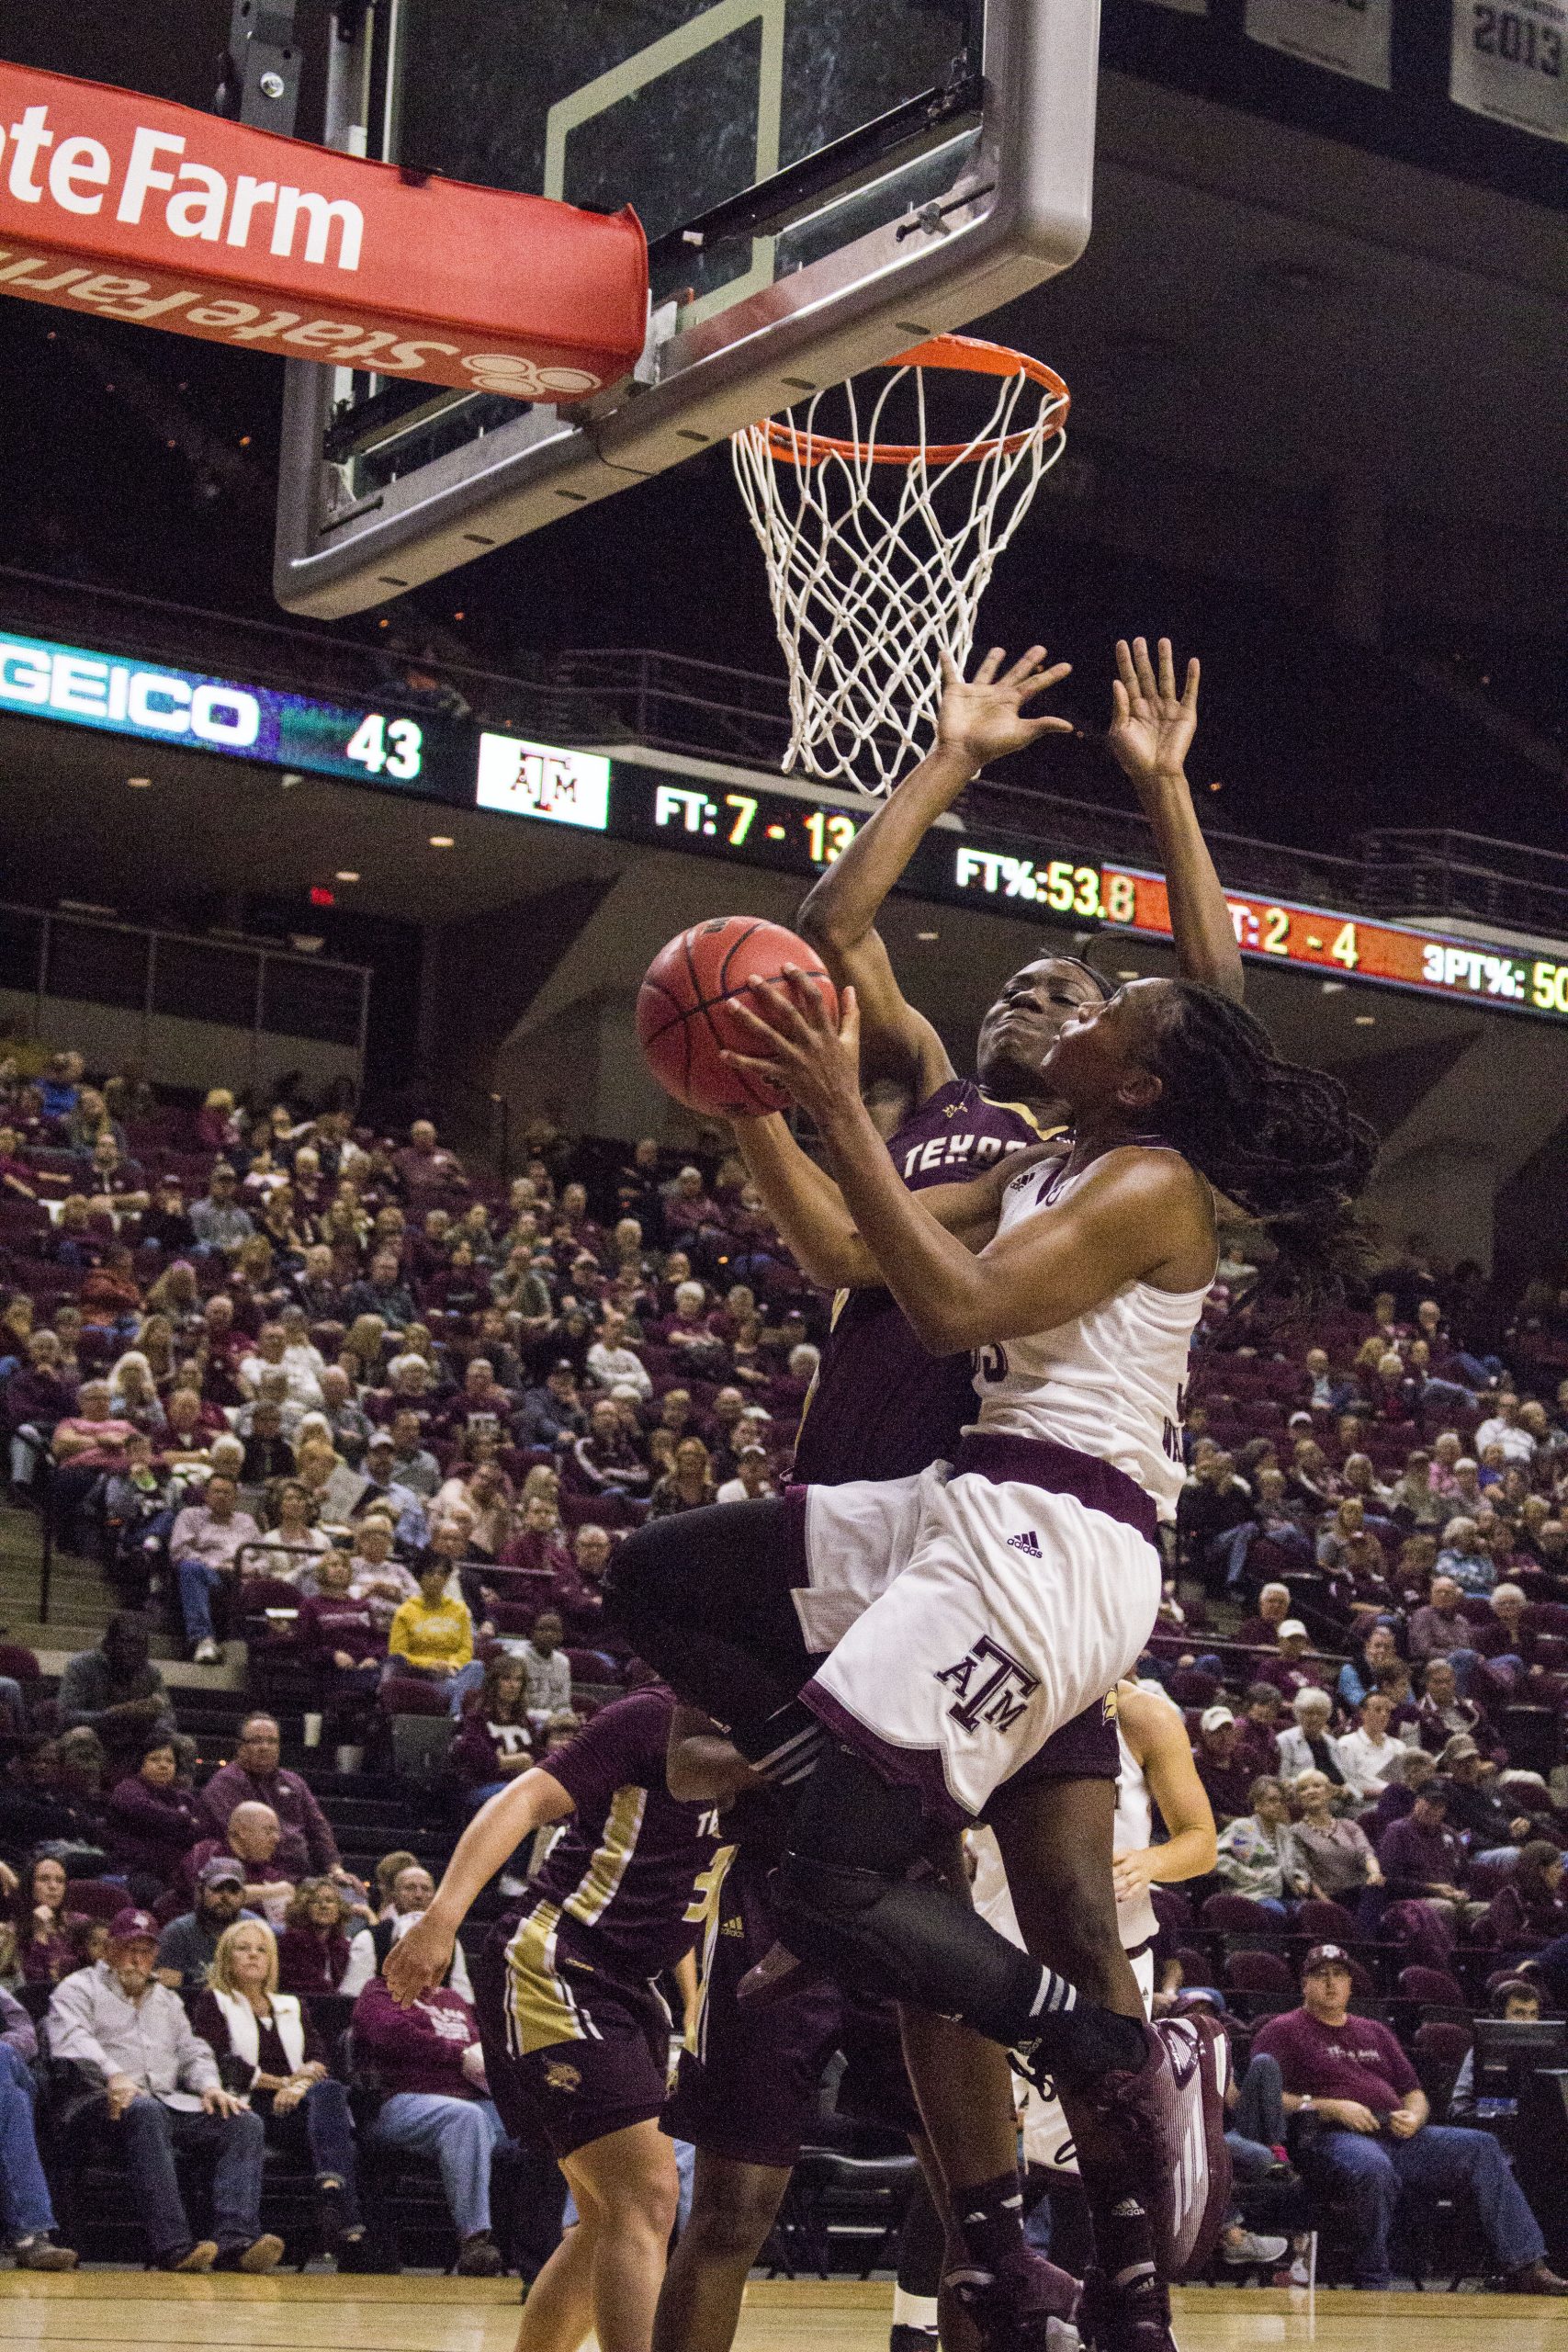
x=272, y=2052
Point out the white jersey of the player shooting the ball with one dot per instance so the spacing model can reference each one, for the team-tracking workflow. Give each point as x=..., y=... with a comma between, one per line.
x=1111, y=1382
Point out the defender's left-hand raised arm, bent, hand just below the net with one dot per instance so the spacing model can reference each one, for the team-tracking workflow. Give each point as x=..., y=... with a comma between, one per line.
x=979, y=721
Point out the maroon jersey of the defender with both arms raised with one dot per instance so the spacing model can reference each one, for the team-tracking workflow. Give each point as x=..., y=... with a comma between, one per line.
x=883, y=1405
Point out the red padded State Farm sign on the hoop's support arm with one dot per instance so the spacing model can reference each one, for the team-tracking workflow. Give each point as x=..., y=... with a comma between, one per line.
x=152, y=213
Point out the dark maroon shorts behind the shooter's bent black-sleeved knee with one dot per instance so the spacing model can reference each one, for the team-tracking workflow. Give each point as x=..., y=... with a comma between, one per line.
x=751, y=2092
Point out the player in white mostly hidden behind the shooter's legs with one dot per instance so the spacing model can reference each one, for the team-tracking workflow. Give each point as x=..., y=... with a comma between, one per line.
x=1158, y=1770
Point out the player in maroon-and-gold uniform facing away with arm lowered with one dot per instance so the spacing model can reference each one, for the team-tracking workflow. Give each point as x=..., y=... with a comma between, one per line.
x=577, y=2036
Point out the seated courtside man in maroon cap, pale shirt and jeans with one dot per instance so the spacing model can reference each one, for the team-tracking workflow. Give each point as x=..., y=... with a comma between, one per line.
x=154, y=2090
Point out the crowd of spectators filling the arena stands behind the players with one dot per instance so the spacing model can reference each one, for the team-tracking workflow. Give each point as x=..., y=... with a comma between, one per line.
x=342, y=1401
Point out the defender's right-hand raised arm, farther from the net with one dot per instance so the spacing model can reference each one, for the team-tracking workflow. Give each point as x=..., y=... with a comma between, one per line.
x=1151, y=735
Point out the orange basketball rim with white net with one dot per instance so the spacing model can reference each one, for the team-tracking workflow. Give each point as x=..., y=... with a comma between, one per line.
x=871, y=580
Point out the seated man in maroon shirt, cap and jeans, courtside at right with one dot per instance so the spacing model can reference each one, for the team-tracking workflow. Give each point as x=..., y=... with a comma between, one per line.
x=1372, y=2137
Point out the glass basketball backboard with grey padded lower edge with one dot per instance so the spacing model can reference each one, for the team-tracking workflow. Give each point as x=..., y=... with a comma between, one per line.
x=1017, y=211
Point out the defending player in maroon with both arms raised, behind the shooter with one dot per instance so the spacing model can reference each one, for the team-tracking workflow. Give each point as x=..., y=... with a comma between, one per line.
x=883, y=1408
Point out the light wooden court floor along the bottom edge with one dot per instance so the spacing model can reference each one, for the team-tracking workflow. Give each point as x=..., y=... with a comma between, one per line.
x=98, y=2311
